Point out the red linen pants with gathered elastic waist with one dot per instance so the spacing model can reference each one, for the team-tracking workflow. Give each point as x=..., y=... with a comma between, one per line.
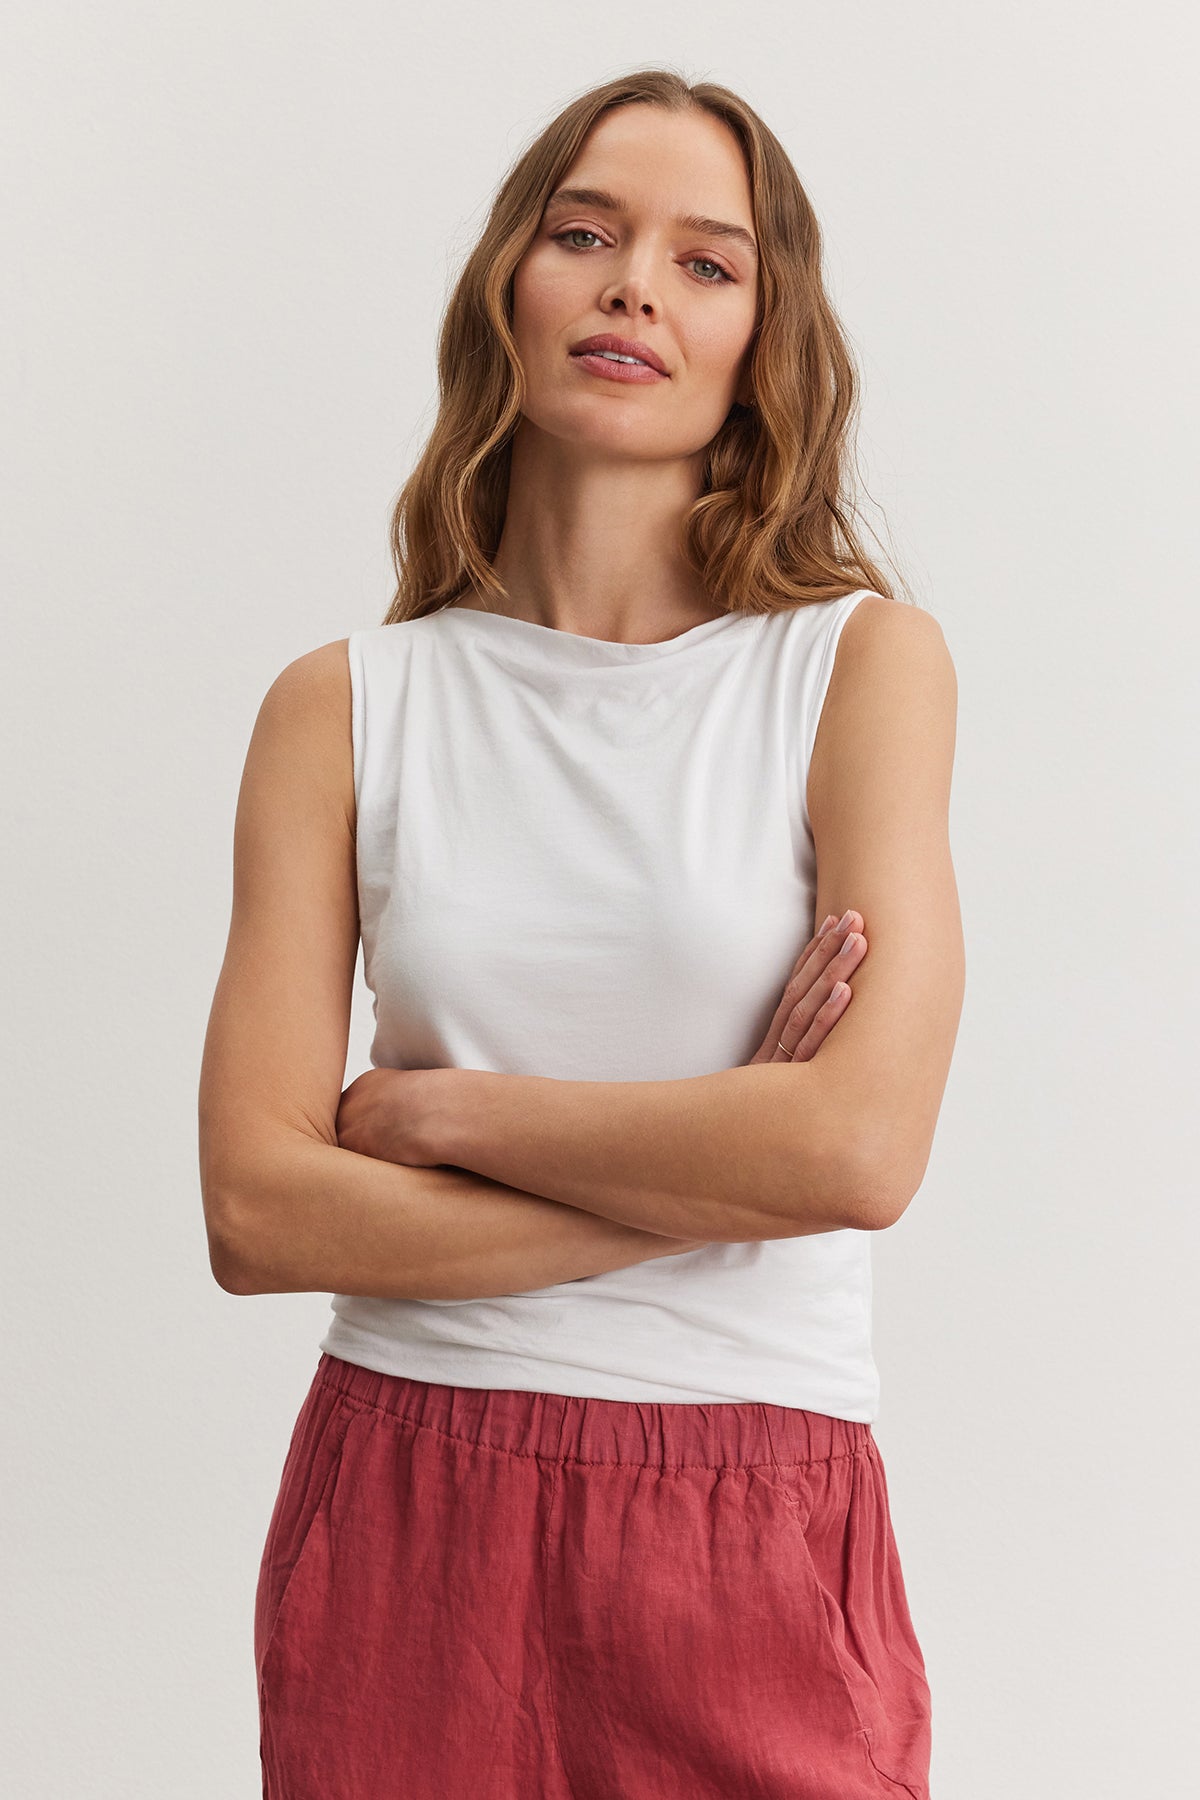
x=478, y=1594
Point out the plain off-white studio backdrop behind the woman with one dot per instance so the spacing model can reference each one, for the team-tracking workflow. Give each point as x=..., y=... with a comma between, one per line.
x=229, y=237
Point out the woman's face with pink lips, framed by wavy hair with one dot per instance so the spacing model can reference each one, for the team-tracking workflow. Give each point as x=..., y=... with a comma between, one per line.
x=643, y=264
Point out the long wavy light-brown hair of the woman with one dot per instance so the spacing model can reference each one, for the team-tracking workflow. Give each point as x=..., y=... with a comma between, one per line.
x=776, y=521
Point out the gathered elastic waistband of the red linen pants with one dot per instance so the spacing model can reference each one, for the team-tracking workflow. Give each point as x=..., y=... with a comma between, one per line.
x=571, y=1428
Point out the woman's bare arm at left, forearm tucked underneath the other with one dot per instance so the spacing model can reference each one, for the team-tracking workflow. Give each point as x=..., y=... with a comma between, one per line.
x=287, y=1209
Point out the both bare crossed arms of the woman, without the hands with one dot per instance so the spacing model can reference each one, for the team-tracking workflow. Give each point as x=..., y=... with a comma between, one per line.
x=526, y=1182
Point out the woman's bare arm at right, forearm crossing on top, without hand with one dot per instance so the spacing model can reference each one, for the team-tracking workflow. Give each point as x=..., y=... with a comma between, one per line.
x=784, y=1149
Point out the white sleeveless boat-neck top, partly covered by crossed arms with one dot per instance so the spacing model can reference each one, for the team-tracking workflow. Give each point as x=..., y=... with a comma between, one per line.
x=595, y=861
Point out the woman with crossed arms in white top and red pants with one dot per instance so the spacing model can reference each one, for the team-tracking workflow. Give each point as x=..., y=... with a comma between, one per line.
x=584, y=1500
